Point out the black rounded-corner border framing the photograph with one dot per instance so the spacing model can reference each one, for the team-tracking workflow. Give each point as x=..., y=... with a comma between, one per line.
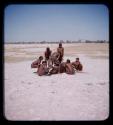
x=2, y=116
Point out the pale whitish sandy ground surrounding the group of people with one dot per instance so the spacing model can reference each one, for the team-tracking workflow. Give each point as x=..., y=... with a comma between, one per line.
x=83, y=96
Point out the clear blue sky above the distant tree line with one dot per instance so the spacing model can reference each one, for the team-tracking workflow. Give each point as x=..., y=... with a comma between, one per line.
x=54, y=22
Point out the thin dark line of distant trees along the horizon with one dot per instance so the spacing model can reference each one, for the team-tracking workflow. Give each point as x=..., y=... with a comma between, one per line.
x=54, y=42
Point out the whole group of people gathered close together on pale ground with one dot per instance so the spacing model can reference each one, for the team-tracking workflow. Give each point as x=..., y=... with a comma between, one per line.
x=52, y=63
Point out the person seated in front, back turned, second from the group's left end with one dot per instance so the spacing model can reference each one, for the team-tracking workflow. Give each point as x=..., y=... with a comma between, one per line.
x=43, y=70
